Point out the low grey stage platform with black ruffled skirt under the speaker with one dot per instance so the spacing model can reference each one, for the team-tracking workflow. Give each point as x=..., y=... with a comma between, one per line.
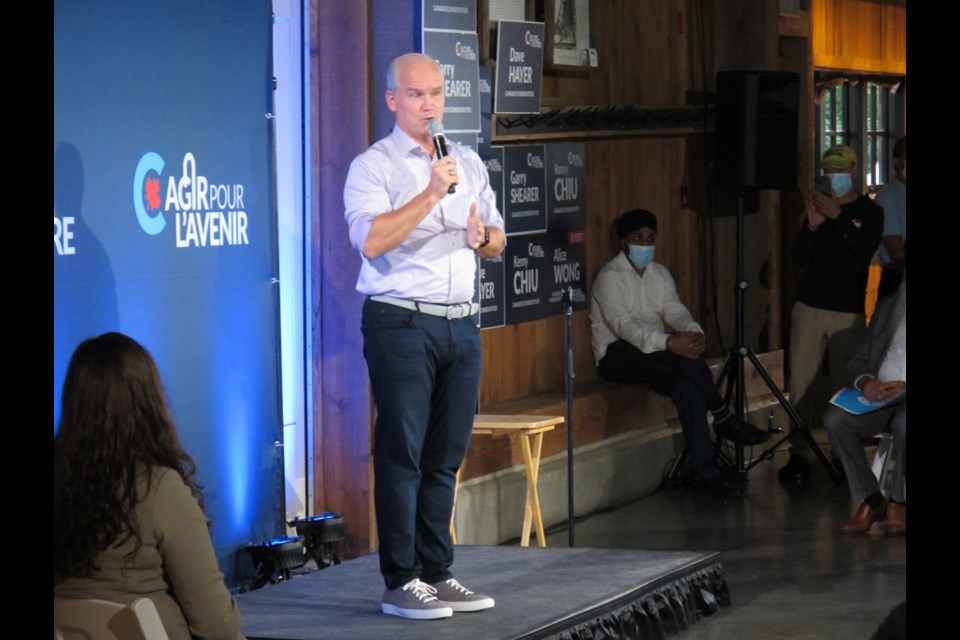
x=568, y=594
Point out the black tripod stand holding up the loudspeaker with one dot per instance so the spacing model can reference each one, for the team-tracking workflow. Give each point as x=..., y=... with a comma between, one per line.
x=733, y=374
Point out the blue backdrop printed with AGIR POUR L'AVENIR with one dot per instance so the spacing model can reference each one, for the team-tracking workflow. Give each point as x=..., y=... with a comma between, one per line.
x=164, y=229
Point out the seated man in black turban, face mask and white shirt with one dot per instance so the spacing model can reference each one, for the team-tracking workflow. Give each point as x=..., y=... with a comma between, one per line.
x=632, y=298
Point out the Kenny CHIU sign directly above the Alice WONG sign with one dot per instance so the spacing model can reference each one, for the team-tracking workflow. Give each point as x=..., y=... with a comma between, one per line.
x=566, y=180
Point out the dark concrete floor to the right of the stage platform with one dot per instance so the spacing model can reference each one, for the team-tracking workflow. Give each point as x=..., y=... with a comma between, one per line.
x=791, y=573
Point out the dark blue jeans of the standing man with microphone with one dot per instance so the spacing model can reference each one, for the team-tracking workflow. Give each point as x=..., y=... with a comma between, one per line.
x=425, y=374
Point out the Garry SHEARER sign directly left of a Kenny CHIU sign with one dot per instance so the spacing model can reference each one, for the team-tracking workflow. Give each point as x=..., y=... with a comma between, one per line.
x=524, y=196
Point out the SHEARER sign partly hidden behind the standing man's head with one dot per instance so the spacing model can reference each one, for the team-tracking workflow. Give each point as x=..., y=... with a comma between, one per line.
x=456, y=53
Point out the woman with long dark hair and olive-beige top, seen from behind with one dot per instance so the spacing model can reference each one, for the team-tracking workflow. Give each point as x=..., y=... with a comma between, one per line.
x=128, y=516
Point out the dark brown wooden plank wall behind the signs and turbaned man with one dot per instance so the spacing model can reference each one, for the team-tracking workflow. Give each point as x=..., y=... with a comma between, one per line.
x=656, y=54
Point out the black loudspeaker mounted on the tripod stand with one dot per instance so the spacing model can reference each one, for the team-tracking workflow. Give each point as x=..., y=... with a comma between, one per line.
x=756, y=126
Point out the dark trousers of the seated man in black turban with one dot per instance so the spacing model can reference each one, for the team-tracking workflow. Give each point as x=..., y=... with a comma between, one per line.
x=689, y=384
